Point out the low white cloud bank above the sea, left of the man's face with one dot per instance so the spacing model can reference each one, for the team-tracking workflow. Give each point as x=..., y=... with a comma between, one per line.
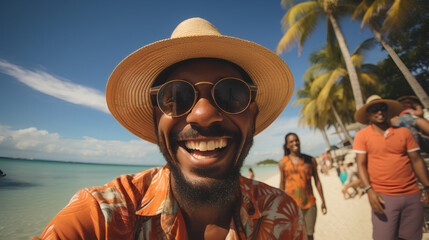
x=40, y=144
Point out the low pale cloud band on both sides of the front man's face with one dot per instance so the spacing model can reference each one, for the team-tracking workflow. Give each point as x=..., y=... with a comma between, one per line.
x=41, y=144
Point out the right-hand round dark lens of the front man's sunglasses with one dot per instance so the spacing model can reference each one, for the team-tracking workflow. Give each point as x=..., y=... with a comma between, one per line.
x=232, y=95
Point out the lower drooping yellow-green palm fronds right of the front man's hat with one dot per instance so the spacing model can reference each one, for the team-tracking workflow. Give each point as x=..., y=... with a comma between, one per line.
x=326, y=96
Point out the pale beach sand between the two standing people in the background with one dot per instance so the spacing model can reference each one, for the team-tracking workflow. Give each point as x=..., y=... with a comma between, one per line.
x=346, y=219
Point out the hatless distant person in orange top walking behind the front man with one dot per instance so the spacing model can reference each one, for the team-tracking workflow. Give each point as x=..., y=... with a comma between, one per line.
x=296, y=171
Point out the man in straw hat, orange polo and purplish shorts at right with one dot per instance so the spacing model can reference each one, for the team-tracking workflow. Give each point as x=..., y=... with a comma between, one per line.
x=388, y=160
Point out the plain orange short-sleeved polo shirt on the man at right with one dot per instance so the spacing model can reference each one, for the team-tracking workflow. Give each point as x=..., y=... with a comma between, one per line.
x=389, y=167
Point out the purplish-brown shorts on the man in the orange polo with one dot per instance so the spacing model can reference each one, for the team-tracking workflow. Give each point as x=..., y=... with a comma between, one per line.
x=403, y=217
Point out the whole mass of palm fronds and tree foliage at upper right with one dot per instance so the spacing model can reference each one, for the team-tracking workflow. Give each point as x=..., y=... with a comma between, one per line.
x=400, y=26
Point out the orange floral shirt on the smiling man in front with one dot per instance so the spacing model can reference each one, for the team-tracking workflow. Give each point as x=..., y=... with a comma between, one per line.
x=142, y=206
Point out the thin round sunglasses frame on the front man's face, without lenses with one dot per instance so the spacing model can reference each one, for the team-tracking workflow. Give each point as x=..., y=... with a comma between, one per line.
x=154, y=91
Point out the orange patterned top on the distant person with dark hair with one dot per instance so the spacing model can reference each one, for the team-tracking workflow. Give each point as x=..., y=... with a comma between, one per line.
x=298, y=181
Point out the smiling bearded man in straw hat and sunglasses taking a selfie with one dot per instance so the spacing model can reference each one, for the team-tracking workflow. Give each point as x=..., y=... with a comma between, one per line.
x=201, y=97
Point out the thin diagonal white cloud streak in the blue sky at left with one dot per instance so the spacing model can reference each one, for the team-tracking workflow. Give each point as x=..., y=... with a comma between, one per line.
x=50, y=85
